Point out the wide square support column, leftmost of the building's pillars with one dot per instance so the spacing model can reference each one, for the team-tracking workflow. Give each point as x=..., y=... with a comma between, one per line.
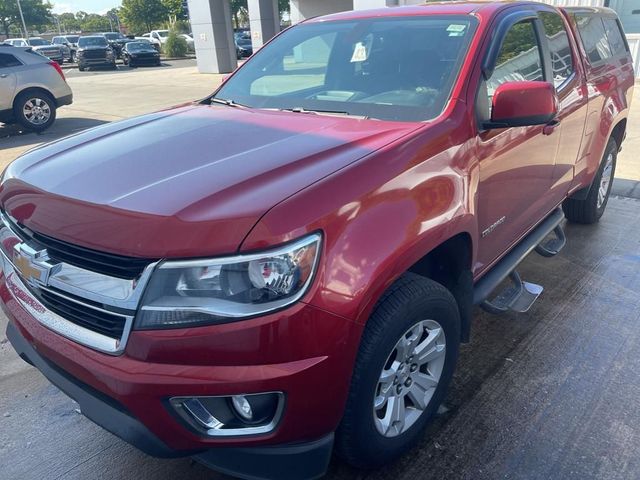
x=213, y=35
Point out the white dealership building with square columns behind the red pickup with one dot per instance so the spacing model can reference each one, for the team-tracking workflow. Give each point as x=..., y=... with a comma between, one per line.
x=213, y=30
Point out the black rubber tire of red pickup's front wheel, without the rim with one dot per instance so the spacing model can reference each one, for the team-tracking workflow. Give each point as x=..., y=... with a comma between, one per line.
x=409, y=300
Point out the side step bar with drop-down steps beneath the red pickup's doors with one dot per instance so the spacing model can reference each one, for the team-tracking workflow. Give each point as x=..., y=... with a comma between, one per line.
x=506, y=266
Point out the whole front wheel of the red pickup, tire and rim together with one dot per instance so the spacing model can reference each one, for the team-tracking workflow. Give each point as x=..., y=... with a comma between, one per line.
x=406, y=359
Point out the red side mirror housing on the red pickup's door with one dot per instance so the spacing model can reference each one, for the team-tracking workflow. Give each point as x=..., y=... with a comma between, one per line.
x=519, y=104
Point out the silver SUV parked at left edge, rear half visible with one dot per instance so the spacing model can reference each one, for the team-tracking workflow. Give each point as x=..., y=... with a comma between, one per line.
x=31, y=88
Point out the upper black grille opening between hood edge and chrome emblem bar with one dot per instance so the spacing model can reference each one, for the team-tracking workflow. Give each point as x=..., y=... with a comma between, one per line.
x=100, y=262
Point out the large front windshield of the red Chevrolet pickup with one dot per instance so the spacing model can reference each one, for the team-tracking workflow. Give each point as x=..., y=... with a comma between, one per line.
x=393, y=68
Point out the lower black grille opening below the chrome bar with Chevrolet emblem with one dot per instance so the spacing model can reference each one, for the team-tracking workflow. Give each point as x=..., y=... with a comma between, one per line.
x=100, y=321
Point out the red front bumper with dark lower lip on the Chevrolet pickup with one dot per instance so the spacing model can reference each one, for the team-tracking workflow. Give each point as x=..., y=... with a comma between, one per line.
x=304, y=352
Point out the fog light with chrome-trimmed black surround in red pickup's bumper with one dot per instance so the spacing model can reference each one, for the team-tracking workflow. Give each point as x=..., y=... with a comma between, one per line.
x=249, y=414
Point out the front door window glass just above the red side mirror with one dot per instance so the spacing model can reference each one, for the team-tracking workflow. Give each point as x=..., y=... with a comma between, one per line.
x=519, y=58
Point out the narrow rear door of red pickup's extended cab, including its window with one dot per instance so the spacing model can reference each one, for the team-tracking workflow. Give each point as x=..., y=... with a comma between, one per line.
x=562, y=59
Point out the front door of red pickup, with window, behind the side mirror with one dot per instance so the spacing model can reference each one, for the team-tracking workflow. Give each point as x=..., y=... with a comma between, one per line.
x=516, y=165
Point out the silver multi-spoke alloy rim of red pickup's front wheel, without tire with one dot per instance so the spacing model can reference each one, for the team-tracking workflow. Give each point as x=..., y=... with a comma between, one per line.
x=409, y=378
